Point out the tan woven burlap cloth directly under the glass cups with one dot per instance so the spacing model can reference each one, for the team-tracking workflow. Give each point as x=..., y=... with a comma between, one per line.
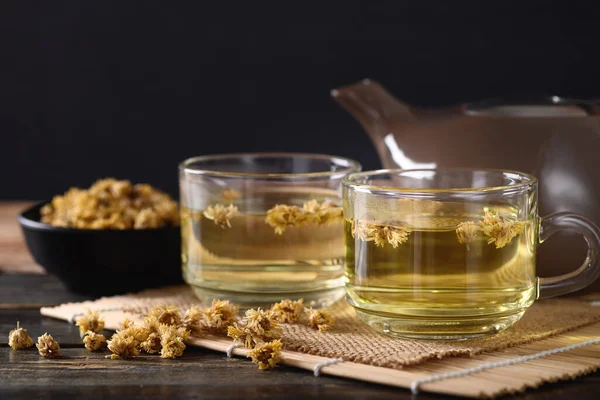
x=352, y=340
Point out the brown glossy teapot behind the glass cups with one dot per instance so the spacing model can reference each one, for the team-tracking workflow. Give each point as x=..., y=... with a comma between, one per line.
x=553, y=138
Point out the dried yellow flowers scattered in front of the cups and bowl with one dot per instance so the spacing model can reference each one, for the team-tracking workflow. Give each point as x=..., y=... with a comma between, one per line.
x=165, y=330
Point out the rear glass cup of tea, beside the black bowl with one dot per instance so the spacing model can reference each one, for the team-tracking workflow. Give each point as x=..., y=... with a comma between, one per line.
x=259, y=228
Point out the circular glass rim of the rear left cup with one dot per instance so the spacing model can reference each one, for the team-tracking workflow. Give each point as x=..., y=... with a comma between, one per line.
x=347, y=165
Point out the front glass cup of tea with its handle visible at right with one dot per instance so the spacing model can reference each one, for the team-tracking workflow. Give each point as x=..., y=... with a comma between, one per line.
x=451, y=253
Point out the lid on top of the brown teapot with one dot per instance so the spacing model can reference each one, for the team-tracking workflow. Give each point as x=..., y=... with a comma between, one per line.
x=540, y=106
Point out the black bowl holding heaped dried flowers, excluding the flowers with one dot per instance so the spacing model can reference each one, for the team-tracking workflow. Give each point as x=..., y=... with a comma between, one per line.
x=104, y=262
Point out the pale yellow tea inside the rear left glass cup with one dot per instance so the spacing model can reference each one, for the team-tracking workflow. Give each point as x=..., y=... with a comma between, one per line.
x=250, y=264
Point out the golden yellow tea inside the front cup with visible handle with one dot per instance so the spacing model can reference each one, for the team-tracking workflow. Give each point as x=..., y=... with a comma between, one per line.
x=433, y=285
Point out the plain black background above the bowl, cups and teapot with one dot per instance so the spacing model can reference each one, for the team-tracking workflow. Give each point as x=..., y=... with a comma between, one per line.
x=90, y=89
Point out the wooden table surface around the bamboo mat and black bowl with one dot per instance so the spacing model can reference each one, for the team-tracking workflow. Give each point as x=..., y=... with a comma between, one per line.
x=200, y=373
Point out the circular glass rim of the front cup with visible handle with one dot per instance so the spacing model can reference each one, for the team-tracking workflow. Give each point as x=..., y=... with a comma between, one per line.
x=347, y=181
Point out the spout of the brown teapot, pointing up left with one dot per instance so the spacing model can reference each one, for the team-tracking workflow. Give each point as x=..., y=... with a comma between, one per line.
x=372, y=106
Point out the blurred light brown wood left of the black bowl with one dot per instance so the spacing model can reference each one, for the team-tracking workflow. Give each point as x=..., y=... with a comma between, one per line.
x=14, y=256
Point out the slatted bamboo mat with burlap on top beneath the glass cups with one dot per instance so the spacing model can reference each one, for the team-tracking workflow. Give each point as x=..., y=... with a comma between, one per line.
x=372, y=357
